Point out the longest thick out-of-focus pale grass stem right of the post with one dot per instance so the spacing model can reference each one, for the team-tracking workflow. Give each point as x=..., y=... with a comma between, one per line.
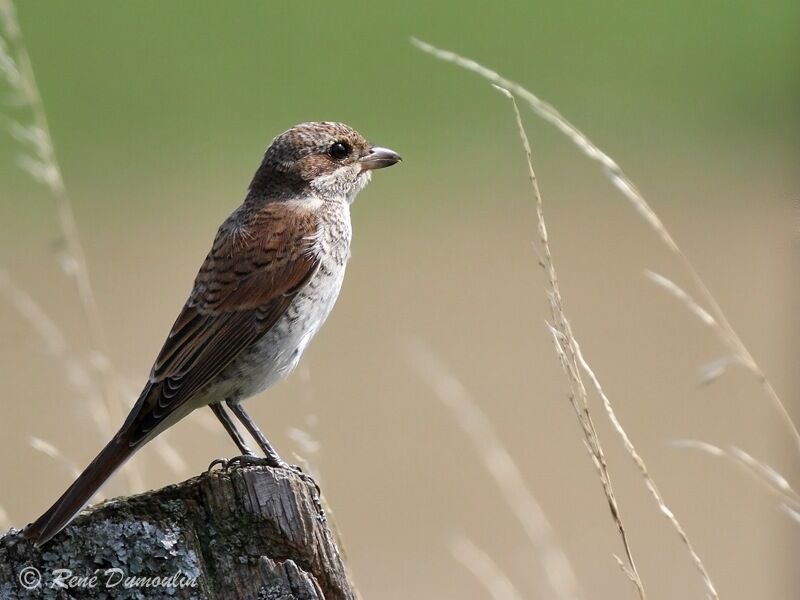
x=560, y=576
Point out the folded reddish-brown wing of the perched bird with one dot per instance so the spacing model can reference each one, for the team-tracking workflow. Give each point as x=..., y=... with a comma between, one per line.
x=257, y=265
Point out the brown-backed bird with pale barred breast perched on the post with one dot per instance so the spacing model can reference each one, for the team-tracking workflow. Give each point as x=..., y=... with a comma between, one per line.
x=267, y=285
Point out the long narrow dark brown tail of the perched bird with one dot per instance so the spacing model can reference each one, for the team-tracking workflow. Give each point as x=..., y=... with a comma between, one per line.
x=116, y=452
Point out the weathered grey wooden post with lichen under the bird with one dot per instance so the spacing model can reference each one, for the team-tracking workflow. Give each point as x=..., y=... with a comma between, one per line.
x=251, y=533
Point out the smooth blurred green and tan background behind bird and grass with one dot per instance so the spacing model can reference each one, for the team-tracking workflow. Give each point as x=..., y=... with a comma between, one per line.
x=160, y=113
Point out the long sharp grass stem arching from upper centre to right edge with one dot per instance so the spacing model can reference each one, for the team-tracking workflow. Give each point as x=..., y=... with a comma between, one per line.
x=619, y=179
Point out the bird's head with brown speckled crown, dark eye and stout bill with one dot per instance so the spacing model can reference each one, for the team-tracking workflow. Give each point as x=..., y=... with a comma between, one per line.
x=324, y=159
